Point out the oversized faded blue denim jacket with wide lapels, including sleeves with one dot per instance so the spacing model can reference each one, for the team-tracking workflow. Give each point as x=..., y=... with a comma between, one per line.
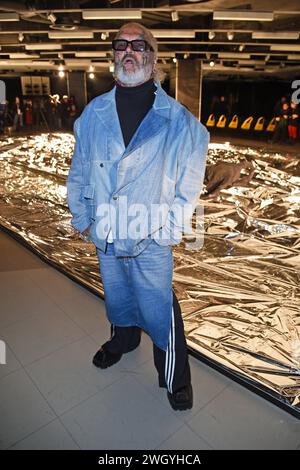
x=163, y=165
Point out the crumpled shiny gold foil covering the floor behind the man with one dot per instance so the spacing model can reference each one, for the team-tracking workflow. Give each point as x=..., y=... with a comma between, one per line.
x=239, y=294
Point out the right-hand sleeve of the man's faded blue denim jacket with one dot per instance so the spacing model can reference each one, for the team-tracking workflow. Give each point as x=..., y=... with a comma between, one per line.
x=190, y=176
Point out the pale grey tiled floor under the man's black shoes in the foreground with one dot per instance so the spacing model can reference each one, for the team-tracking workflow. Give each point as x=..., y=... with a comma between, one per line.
x=52, y=397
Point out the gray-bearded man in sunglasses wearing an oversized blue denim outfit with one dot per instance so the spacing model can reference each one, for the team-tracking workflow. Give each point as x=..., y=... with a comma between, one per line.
x=138, y=144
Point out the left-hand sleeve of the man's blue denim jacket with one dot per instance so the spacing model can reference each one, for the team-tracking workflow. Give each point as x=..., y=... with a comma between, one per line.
x=75, y=184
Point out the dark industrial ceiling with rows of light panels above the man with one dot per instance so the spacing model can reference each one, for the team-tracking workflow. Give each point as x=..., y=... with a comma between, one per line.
x=254, y=37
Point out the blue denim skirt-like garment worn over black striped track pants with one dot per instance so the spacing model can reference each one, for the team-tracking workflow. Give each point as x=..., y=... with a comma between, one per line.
x=138, y=290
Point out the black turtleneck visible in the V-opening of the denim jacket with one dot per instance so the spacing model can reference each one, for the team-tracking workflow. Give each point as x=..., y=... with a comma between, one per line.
x=133, y=103
